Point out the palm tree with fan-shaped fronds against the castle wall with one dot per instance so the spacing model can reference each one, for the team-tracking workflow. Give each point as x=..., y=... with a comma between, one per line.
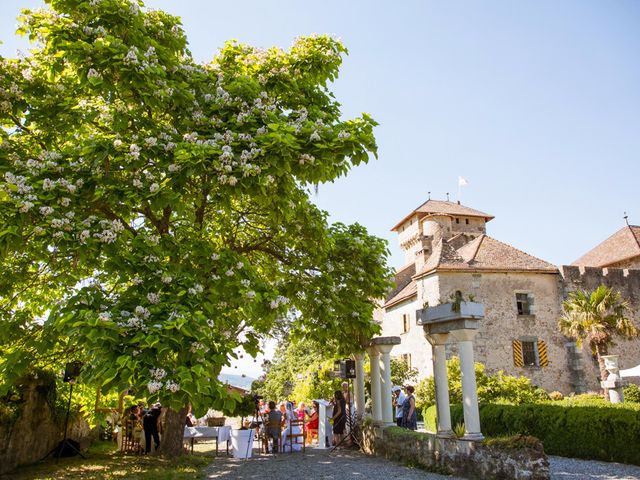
x=595, y=317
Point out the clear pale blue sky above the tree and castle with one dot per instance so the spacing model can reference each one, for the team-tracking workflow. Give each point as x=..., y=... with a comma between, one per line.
x=536, y=104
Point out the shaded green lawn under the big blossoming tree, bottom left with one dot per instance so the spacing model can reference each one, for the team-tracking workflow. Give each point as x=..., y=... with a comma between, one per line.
x=103, y=462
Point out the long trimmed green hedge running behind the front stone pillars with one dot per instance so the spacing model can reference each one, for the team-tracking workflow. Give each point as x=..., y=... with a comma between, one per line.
x=589, y=429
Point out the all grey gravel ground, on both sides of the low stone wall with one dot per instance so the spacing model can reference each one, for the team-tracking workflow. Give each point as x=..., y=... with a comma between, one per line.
x=351, y=464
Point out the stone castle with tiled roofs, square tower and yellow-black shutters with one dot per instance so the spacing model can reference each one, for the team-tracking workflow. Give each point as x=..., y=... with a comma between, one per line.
x=447, y=250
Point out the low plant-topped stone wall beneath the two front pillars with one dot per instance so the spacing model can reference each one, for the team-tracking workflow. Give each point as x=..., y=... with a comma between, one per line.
x=459, y=457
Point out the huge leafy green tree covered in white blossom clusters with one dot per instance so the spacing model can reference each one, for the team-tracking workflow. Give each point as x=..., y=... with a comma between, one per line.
x=155, y=211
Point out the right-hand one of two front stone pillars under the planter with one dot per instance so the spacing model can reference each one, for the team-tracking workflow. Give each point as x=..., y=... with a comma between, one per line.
x=469, y=391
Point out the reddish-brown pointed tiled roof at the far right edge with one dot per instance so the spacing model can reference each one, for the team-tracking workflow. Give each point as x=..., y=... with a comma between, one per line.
x=622, y=245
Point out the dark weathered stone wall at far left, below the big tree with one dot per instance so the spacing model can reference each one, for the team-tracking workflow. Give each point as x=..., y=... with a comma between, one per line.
x=37, y=430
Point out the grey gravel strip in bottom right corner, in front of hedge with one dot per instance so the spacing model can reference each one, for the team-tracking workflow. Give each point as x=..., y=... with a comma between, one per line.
x=575, y=469
